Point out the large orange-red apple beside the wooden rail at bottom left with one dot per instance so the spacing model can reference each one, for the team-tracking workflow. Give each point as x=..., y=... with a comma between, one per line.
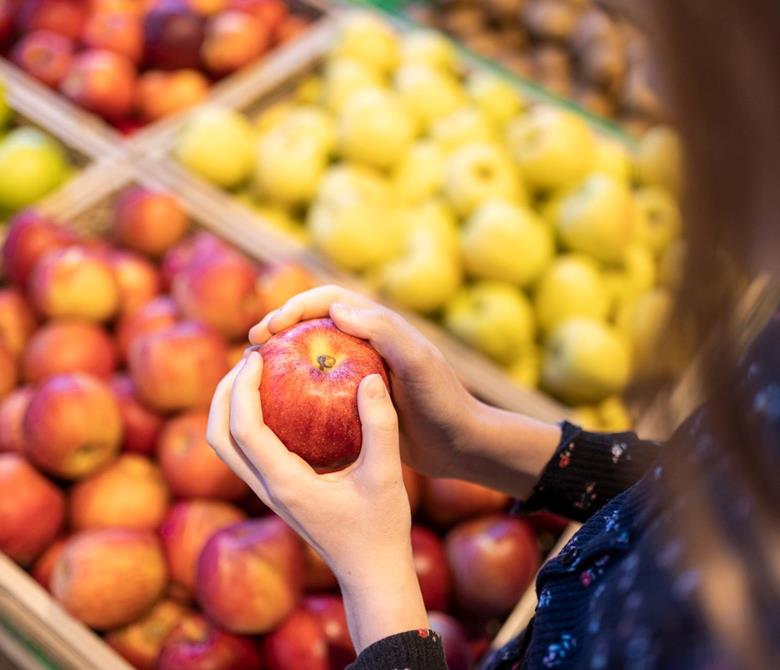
x=109, y=577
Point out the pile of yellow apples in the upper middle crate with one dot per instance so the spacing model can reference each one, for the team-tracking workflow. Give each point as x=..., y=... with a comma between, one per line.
x=541, y=244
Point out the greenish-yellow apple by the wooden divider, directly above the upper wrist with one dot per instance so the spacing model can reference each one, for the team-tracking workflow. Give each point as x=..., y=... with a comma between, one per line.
x=494, y=318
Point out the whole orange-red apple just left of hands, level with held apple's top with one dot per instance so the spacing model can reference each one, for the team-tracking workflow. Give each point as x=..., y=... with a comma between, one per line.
x=179, y=367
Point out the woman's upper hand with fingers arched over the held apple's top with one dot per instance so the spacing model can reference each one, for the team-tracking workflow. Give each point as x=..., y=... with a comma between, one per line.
x=436, y=412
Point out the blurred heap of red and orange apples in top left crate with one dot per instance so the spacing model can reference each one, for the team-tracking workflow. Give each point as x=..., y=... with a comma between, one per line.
x=136, y=61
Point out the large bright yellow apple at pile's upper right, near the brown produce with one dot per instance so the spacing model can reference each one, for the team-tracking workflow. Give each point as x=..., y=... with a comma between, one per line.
x=554, y=149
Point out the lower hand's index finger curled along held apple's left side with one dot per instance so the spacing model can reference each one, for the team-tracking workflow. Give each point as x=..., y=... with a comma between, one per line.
x=264, y=450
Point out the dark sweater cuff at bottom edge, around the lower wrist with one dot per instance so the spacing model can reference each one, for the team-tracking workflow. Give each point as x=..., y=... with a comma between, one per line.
x=414, y=650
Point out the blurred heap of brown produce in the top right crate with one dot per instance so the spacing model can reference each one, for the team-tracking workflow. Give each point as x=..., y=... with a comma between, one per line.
x=574, y=48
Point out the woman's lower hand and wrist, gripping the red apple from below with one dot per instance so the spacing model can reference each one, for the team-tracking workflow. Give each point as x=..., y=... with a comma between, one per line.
x=358, y=519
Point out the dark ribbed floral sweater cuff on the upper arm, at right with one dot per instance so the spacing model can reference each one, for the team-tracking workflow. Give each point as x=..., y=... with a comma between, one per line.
x=588, y=470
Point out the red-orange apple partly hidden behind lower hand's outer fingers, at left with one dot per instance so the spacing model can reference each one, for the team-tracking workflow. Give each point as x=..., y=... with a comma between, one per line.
x=190, y=466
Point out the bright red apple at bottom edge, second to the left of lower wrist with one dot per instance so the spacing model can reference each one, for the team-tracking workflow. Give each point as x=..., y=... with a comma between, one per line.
x=298, y=643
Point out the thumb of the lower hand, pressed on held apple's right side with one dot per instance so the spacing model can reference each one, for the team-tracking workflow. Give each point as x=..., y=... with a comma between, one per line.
x=379, y=422
